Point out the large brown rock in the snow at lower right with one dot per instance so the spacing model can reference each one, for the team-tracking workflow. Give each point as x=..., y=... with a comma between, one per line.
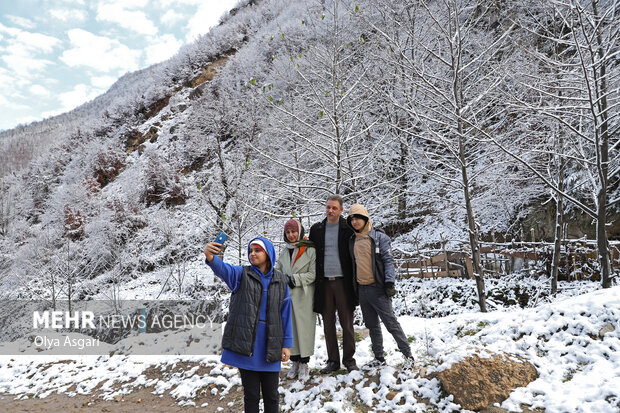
x=478, y=382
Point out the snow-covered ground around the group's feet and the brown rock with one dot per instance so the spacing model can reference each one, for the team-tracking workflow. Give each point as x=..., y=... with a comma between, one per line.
x=578, y=370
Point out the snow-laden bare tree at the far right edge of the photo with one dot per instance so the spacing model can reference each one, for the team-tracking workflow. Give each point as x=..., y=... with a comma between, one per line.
x=580, y=46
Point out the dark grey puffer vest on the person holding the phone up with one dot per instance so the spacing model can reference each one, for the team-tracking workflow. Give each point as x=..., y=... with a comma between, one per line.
x=244, y=309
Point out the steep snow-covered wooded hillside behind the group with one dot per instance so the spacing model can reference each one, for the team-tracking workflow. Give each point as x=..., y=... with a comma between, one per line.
x=288, y=101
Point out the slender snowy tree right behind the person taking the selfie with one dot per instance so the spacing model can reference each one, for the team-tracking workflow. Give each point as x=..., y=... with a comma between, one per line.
x=229, y=119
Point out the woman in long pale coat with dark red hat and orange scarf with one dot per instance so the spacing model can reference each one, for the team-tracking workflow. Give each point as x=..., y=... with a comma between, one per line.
x=297, y=260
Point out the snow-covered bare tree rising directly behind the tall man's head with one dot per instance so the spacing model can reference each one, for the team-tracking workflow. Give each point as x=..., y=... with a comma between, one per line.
x=320, y=138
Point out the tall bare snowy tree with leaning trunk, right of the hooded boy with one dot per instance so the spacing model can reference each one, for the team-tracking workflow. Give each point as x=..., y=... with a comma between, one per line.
x=454, y=67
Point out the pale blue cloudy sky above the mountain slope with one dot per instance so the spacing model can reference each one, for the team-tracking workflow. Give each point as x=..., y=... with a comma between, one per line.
x=58, y=54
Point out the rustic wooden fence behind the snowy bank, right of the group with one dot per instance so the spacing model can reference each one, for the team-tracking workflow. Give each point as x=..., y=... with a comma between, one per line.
x=576, y=259
